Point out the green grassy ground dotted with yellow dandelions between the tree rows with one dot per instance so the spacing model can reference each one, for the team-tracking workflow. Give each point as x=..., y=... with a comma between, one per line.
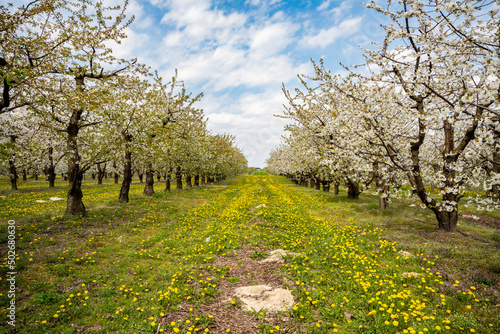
x=170, y=262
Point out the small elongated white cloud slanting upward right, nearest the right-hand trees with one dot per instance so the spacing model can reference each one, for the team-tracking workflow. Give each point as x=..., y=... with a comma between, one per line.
x=326, y=37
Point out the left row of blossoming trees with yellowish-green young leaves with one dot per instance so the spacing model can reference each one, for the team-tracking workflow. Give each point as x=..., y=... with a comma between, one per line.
x=70, y=106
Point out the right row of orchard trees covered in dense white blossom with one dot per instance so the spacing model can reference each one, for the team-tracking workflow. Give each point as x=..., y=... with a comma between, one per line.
x=422, y=114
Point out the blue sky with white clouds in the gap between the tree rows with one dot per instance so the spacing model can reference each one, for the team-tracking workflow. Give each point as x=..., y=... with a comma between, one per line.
x=238, y=53
